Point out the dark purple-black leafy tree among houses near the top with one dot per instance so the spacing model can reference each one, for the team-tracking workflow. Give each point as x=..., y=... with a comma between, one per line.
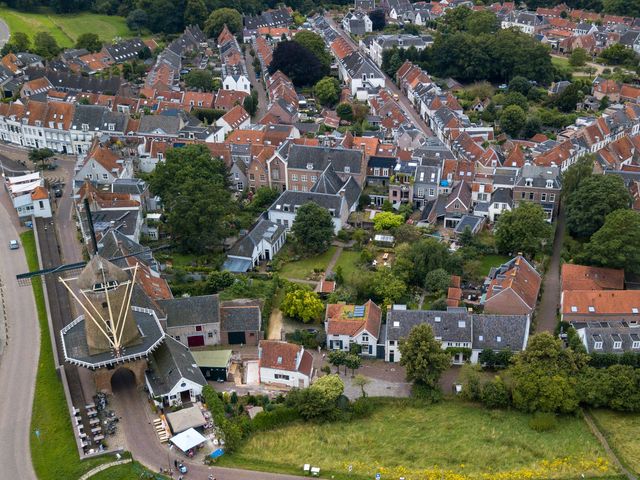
x=298, y=63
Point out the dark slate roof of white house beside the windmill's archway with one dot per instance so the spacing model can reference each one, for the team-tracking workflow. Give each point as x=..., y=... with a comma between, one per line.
x=171, y=363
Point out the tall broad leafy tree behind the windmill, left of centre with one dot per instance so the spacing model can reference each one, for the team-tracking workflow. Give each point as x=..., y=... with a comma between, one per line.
x=194, y=189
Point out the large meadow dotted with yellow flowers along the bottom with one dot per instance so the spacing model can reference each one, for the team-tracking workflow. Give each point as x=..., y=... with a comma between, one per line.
x=449, y=440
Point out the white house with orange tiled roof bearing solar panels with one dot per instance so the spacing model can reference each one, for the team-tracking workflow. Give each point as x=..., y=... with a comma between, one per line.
x=347, y=325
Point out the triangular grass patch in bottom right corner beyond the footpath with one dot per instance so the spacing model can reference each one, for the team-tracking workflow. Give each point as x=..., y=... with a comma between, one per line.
x=622, y=432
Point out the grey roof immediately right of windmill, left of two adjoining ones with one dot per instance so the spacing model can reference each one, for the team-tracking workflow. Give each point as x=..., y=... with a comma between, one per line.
x=191, y=310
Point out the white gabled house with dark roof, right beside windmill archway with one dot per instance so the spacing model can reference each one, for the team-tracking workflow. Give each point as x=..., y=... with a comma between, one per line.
x=172, y=376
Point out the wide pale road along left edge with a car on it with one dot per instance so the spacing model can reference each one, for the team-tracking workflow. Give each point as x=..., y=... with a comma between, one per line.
x=19, y=359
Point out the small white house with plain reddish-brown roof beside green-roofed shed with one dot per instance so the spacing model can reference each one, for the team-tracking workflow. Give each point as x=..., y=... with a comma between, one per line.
x=283, y=363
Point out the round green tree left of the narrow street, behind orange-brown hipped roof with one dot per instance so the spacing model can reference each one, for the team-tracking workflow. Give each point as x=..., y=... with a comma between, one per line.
x=523, y=229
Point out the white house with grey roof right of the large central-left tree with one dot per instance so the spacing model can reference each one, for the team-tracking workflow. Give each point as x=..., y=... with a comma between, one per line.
x=261, y=243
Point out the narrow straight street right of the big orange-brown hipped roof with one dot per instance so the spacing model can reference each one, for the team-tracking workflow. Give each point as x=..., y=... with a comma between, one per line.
x=546, y=317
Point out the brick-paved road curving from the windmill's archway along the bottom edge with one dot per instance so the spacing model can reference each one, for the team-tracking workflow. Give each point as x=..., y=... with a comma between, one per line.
x=145, y=447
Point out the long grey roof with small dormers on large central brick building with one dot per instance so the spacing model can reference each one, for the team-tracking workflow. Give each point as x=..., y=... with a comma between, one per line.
x=300, y=156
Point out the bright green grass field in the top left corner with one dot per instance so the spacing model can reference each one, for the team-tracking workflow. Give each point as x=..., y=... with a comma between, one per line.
x=65, y=28
